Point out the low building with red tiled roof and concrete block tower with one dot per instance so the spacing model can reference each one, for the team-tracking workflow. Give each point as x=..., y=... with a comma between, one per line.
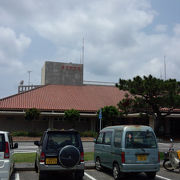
x=62, y=88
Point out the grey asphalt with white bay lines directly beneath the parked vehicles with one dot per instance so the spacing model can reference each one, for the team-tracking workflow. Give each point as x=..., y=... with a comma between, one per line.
x=95, y=175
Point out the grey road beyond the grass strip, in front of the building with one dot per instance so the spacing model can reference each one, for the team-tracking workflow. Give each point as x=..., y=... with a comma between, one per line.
x=88, y=147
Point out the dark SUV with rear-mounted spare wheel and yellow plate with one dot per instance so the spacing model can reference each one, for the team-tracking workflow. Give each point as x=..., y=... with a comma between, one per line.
x=60, y=151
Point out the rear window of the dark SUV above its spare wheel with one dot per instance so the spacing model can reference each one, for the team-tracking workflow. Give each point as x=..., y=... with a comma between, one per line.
x=58, y=140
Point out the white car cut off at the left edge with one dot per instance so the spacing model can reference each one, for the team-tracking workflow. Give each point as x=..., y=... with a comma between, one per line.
x=6, y=155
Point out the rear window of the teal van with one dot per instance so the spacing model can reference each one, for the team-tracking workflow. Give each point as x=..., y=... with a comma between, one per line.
x=140, y=139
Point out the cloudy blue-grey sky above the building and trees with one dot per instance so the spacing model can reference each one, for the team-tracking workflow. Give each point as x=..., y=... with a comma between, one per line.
x=123, y=38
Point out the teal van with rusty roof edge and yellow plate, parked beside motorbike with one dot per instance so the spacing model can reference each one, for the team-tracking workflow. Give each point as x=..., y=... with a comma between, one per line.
x=127, y=149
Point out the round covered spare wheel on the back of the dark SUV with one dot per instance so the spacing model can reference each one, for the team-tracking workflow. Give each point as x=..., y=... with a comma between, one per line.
x=69, y=156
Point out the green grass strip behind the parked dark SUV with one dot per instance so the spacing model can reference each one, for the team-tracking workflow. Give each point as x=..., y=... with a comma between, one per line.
x=30, y=157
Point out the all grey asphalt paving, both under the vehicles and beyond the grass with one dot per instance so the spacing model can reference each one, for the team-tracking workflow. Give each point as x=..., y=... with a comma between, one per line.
x=92, y=174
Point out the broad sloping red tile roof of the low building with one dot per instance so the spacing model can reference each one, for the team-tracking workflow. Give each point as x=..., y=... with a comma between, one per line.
x=88, y=98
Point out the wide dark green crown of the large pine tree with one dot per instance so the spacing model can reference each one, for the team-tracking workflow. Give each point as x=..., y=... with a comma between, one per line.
x=151, y=93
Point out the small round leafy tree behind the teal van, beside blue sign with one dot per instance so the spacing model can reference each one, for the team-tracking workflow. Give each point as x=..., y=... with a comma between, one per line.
x=109, y=115
